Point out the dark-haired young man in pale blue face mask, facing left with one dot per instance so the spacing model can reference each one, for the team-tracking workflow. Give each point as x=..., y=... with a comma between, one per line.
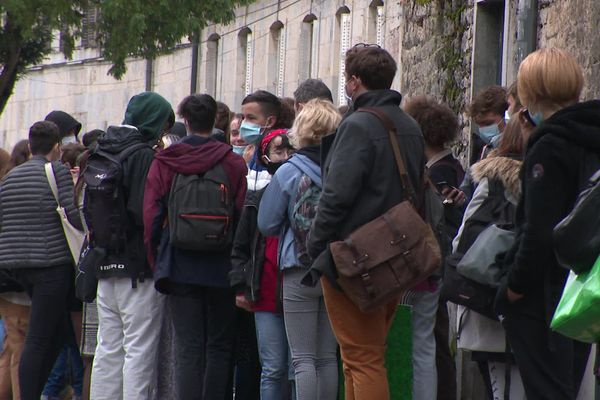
x=261, y=111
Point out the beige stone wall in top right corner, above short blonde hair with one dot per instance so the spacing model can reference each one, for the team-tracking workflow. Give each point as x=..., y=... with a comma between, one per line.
x=574, y=26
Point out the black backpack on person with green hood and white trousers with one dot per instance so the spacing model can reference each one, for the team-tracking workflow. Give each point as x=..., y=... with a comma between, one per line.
x=105, y=204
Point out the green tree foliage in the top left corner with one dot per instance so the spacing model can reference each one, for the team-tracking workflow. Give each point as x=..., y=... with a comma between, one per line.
x=126, y=28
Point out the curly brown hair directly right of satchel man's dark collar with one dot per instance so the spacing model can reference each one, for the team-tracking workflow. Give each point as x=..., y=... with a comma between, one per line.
x=438, y=122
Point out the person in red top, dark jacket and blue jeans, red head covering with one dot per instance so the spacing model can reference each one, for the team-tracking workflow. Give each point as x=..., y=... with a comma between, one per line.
x=256, y=279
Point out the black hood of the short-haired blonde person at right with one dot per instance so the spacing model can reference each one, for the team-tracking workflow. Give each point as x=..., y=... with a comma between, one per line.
x=579, y=124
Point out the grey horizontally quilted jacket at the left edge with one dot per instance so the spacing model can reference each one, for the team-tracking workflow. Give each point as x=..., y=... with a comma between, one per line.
x=31, y=234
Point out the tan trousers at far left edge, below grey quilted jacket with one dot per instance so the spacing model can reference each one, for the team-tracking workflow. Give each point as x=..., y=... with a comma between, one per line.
x=16, y=321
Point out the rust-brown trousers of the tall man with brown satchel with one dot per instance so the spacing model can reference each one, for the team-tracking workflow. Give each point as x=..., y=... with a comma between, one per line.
x=362, y=340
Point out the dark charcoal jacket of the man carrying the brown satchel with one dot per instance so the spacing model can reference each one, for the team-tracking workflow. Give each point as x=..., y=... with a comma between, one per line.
x=360, y=176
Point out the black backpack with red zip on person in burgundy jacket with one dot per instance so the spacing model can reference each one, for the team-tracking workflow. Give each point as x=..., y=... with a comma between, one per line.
x=201, y=211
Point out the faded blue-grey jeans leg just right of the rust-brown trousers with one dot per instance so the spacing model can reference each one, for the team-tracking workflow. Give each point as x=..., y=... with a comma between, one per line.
x=424, y=311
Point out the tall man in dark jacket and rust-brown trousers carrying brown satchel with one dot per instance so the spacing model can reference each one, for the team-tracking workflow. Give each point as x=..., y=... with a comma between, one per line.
x=360, y=183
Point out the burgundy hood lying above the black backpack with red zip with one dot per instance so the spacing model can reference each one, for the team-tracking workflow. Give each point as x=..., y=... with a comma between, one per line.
x=185, y=158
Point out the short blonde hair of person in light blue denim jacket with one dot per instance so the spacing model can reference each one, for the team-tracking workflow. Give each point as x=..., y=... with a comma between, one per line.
x=317, y=118
